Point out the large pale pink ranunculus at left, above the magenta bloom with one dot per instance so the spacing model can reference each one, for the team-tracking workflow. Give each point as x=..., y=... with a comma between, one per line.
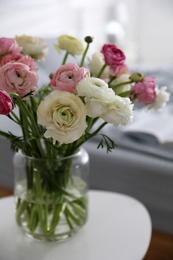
x=17, y=77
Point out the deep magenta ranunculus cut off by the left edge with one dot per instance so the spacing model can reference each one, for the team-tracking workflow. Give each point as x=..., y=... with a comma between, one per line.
x=6, y=103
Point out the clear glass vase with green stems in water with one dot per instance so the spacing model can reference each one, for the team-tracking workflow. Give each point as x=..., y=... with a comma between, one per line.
x=51, y=196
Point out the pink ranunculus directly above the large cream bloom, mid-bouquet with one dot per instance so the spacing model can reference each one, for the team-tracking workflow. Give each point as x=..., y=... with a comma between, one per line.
x=67, y=77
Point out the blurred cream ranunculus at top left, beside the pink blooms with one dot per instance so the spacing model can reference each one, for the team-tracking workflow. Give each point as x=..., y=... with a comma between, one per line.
x=36, y=47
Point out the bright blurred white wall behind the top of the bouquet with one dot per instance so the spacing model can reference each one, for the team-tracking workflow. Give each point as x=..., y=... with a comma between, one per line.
x=144, y=29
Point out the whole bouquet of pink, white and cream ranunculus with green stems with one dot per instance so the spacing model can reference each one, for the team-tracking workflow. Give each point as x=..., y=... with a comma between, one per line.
x=57, y=119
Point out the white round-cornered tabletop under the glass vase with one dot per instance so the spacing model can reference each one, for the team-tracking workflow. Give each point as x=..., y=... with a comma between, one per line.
x=119, y=227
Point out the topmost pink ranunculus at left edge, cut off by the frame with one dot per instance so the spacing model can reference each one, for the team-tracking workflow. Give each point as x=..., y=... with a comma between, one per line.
x=9, y=46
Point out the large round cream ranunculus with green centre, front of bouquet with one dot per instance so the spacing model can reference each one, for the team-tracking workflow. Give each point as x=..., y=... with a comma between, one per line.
x=64, y=116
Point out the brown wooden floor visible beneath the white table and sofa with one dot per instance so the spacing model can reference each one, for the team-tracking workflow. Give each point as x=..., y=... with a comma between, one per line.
x=161, y=246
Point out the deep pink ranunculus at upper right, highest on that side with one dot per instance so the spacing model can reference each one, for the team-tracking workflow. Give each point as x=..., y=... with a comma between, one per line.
x=113, y=55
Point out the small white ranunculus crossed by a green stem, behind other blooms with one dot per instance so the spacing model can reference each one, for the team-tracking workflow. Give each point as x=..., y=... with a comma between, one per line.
x=119, y=80
